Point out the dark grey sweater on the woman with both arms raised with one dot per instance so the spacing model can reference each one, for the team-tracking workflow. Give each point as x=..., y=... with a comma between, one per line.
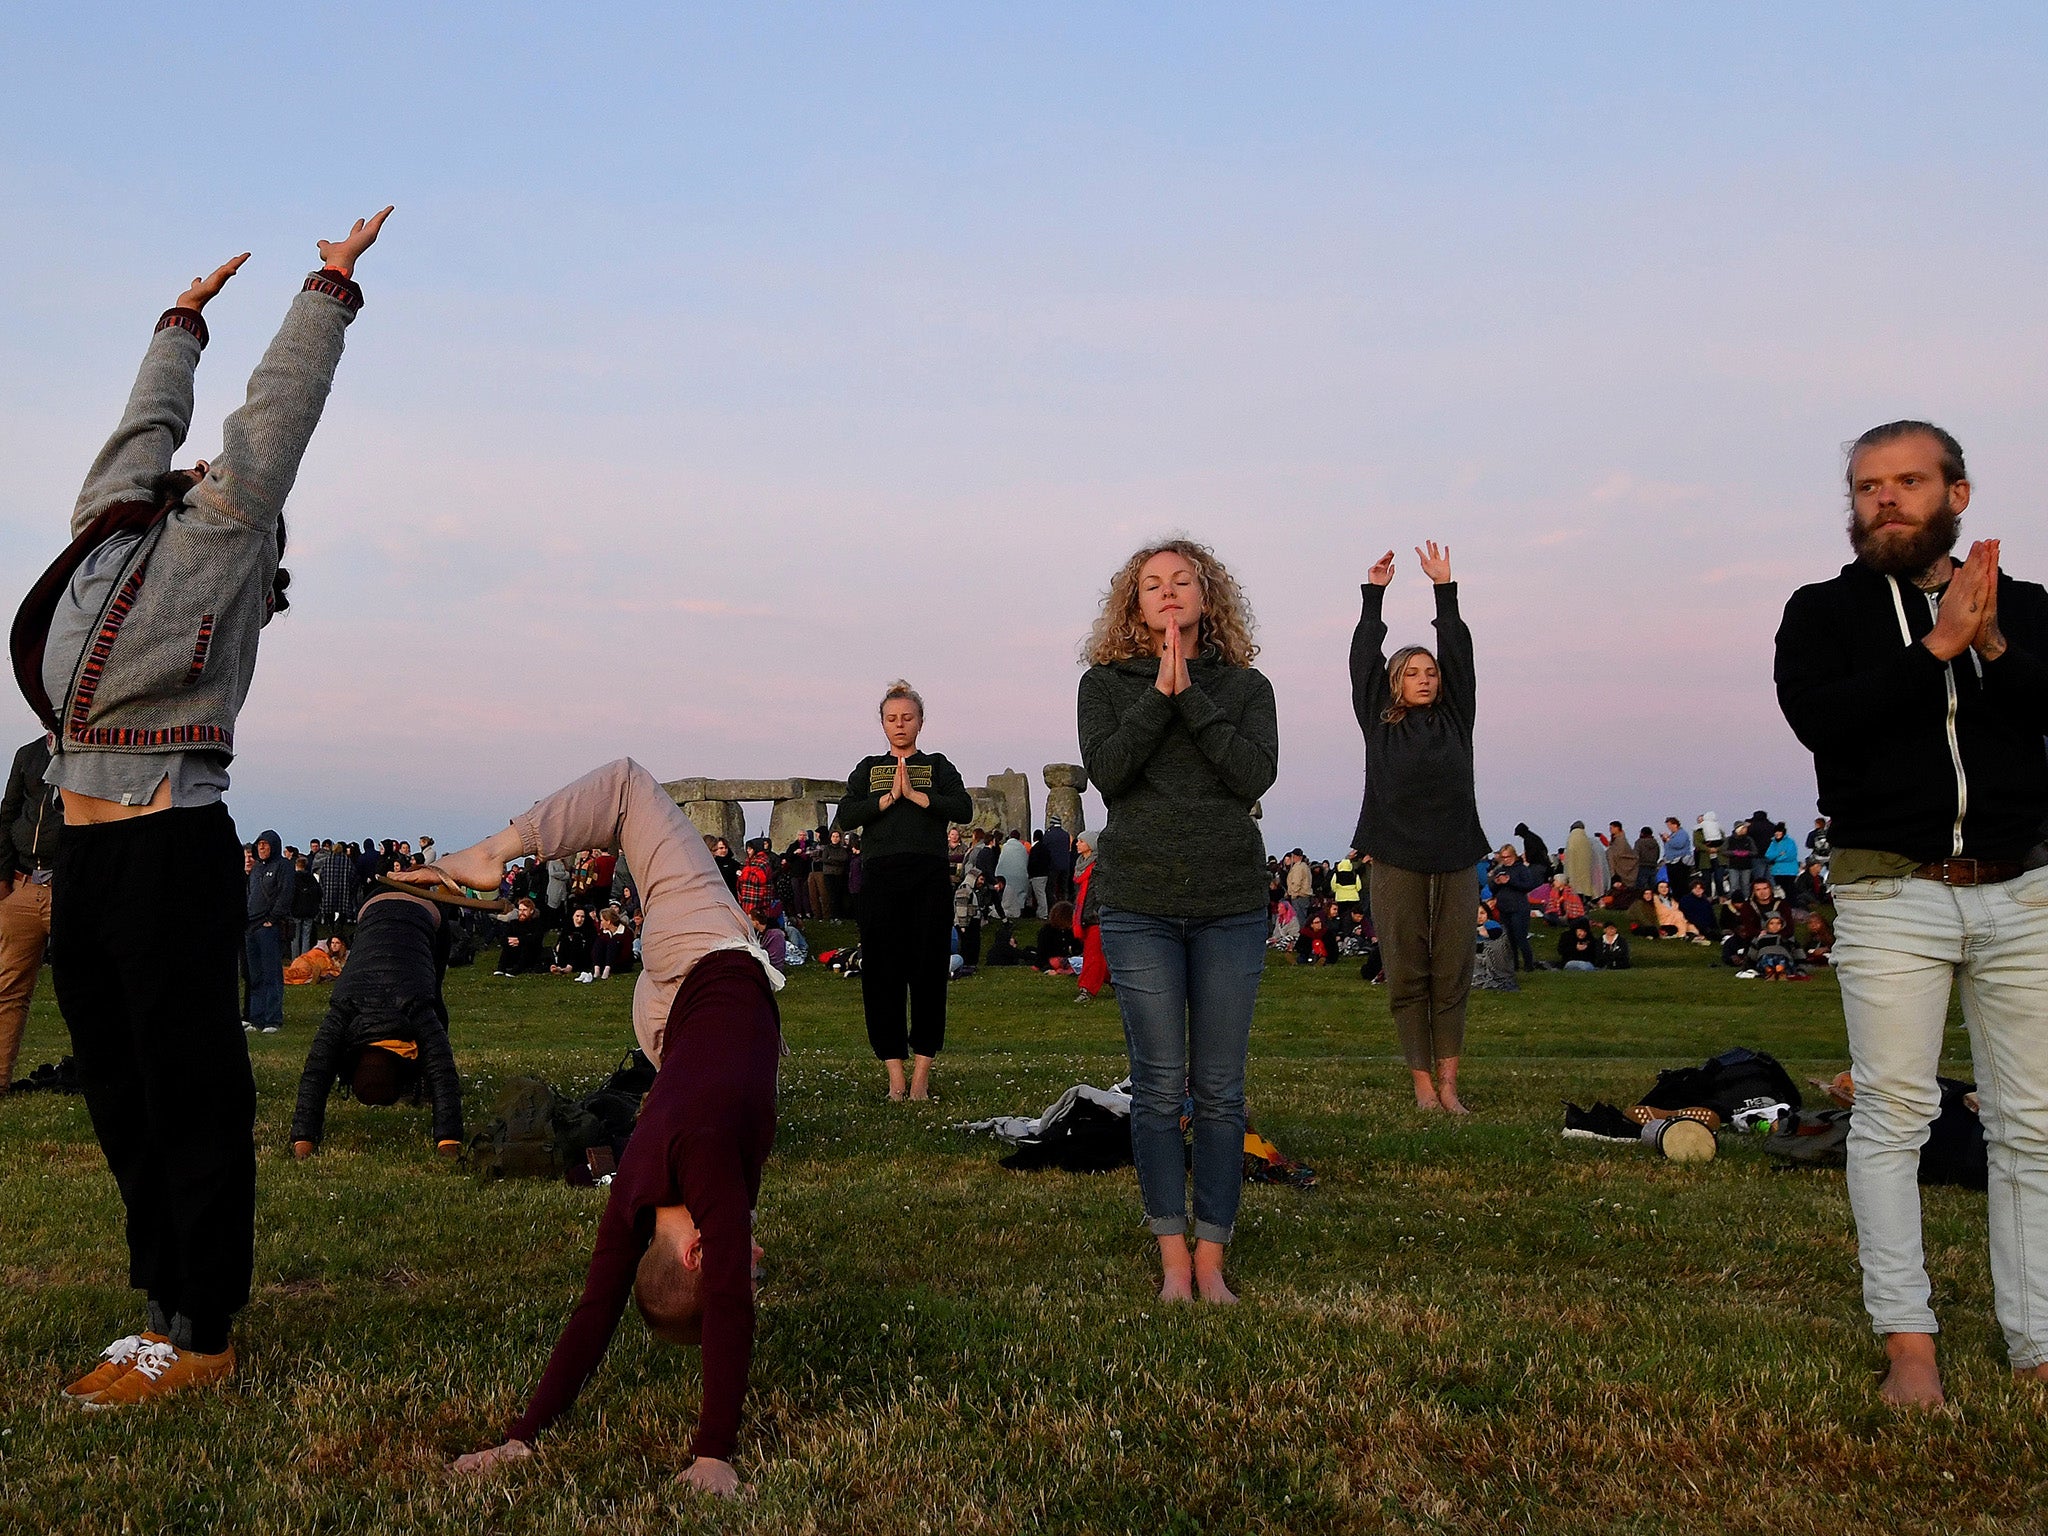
x=1420, y=812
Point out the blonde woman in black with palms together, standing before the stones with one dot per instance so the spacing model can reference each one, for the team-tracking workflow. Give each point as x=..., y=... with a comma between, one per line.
x=904, y=802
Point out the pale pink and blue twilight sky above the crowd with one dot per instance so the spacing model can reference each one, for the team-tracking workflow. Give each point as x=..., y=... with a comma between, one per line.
x=724, y=364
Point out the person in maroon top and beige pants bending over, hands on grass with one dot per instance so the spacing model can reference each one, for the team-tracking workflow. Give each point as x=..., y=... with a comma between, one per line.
x=679, y=1226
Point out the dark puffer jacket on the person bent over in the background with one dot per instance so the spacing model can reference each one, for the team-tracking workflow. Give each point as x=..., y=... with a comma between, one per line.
x=390, y=990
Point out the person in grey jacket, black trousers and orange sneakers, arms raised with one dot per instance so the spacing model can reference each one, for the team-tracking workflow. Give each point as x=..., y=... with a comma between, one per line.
x=136, y=650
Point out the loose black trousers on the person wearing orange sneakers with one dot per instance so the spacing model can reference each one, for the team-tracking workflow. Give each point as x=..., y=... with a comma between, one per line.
x=146, y=927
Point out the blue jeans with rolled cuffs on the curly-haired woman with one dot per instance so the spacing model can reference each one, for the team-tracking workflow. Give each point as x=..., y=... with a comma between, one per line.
x=1187, y=988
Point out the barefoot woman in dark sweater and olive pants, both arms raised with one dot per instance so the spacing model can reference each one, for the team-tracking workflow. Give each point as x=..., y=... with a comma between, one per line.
x=1420, y=824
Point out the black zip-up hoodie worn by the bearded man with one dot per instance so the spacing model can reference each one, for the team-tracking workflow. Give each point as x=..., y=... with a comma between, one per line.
x=1918, y=757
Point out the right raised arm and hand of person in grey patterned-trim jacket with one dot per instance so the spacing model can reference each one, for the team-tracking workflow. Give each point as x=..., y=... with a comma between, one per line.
x=265, y=439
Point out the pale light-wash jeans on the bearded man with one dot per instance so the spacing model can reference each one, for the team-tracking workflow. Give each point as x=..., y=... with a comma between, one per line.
x=1897, y=947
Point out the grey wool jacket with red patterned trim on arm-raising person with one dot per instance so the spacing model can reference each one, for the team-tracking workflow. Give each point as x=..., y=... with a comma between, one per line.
x=175, y=648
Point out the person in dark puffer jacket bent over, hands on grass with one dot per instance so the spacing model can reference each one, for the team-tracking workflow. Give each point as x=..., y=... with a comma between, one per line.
x=388, y=1027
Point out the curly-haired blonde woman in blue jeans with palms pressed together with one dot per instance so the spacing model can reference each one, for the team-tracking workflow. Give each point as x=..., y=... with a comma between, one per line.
x=1179, y=732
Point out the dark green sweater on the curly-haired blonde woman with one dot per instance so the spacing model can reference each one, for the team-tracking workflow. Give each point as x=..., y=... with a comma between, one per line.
x=1181, y=777
